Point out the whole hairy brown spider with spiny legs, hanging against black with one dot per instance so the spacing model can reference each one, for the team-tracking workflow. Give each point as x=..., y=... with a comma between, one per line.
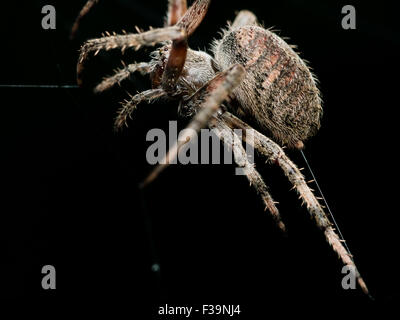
x=252, y=73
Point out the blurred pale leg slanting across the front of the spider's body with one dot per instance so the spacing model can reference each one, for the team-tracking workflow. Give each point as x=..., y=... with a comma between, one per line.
x=213, y=94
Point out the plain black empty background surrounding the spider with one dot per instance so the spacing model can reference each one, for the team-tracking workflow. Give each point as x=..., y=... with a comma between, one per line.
x=69, y=181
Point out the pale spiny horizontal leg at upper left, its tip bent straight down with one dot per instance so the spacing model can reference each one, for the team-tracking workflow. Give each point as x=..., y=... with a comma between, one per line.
x=148, y=38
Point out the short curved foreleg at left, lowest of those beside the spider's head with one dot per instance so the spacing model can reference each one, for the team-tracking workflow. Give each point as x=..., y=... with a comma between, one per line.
x=129, y=106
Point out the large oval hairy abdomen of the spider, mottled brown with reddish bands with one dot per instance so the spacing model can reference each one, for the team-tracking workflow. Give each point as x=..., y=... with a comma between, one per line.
x=279, y=92
